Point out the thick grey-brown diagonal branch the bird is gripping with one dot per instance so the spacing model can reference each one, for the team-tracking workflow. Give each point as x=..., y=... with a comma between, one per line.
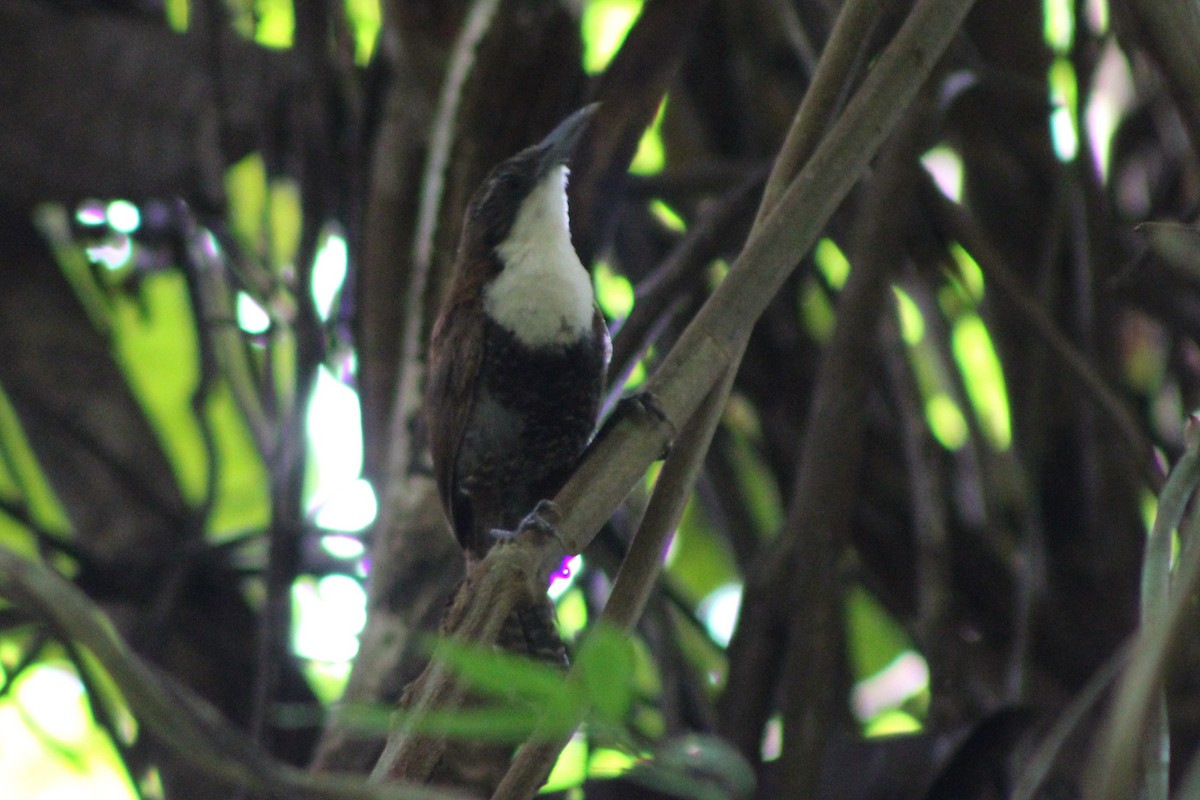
x=715, y=338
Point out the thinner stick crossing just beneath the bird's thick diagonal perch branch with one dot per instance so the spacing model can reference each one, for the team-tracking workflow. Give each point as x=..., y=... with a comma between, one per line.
x=635, y=580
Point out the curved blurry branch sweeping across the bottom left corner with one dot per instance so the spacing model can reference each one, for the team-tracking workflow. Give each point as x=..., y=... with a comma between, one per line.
x=183, y=723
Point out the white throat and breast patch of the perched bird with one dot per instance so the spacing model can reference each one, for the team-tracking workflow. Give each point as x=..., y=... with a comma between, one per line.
x=543, y=294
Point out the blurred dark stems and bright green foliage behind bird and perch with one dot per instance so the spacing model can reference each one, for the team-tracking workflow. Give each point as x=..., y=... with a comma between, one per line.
x=225, y=226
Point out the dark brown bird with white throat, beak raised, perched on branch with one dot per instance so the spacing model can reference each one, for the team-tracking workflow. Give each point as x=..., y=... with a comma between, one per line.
x=519, y=351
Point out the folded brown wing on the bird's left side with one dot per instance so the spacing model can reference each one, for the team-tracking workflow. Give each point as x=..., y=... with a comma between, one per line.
x=457, y=350
